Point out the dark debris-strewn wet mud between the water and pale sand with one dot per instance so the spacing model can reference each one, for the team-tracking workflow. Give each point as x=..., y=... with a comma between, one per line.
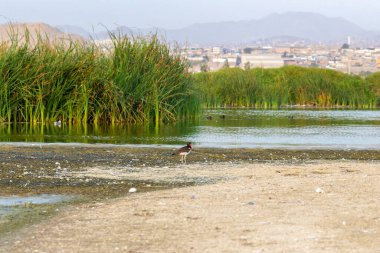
x=47, y=169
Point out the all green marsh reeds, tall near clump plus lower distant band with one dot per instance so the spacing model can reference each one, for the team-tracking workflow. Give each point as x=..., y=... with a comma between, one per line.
x=143, y=80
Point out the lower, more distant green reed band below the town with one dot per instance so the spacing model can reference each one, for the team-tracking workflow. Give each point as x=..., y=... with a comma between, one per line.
x=286, y=86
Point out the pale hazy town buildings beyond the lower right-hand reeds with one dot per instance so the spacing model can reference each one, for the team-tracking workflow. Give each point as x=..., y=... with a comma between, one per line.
x=345, y=59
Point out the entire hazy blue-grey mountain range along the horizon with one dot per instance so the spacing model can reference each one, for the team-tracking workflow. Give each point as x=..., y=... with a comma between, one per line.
x=290, y=26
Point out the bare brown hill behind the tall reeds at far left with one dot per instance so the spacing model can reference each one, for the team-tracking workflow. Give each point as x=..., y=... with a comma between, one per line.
x=46, y=32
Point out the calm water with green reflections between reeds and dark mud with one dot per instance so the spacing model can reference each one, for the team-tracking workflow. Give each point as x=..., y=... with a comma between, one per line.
x=338, y=129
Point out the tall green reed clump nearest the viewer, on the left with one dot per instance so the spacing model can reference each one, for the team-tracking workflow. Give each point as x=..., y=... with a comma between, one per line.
x=137, y=80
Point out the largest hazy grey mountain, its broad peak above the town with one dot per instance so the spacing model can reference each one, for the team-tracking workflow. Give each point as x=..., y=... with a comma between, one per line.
x=307, y=26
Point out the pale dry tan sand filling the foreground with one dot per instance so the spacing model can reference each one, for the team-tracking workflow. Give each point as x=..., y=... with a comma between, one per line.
x=326, y=206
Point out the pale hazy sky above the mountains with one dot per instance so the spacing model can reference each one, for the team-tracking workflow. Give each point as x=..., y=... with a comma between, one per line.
x=177, y=13
